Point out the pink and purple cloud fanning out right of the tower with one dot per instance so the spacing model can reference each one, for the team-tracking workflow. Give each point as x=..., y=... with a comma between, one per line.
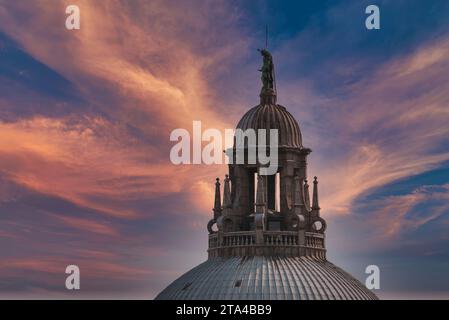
x=390, y=125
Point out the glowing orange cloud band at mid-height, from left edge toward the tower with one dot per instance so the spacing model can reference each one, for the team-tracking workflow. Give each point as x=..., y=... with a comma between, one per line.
x=91, y=161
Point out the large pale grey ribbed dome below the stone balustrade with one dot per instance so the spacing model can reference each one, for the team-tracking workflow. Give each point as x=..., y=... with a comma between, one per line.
x=270, y=278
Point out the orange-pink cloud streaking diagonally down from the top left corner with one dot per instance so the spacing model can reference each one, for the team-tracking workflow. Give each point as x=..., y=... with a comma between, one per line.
x=152, y=66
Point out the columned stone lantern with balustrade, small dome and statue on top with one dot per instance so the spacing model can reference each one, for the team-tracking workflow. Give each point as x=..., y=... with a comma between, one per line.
x=265, y=210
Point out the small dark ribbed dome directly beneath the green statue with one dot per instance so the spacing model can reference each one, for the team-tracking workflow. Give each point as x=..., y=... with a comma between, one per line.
x=273, y=116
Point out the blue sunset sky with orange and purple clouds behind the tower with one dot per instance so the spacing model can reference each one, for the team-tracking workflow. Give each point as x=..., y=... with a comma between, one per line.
x=86, y=116
